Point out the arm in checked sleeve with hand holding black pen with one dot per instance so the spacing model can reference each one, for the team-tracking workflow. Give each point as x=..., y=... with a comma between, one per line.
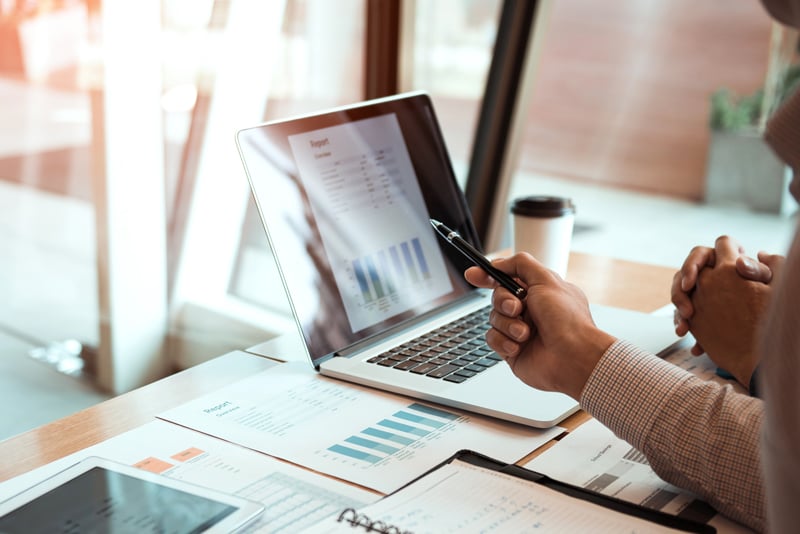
x=697, y=435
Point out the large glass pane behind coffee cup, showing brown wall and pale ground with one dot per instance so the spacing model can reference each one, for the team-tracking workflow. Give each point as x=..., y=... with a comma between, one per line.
x=619, y=120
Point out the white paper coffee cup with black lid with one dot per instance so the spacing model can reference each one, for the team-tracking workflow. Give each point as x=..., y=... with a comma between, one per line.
x=542, y=226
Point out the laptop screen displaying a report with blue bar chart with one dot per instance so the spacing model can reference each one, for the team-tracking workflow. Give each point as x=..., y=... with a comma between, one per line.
x=346, y=197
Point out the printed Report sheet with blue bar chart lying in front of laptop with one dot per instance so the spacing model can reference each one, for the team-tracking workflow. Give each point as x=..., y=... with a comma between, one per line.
x=376, y=439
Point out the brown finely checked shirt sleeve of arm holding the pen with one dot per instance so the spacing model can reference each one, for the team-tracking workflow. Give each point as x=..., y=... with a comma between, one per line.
x=696, y=434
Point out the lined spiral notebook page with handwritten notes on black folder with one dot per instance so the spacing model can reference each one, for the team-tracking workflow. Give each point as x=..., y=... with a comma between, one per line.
x=460, y=497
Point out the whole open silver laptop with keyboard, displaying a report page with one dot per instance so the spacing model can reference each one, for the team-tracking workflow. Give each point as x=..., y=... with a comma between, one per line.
x=345, y=196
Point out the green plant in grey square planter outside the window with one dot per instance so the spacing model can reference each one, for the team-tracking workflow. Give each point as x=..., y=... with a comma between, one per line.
x=741, y=168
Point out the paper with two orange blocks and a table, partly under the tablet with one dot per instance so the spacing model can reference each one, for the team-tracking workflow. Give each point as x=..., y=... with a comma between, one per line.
x=294, y=497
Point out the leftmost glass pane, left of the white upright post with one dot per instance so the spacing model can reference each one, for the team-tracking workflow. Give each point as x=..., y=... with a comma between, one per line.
x=48, y=283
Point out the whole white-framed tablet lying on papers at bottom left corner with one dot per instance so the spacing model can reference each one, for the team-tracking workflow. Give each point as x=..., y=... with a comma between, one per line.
x=97, y=495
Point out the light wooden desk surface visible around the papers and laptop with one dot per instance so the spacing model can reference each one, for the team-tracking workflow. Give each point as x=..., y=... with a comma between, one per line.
x=605, y=281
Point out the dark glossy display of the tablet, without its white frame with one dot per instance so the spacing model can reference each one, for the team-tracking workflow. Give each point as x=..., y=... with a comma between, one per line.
x=101, y=500
